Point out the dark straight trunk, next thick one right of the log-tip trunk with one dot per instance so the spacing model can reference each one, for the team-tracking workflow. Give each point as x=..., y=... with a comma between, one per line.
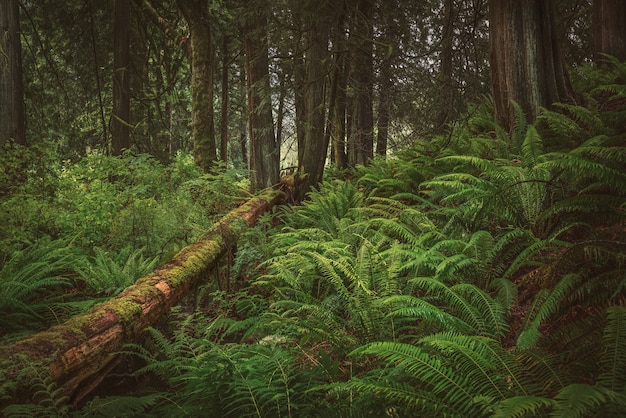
x=361, y=138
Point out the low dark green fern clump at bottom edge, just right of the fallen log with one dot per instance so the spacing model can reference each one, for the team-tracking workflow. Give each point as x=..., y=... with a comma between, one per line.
x=256, y=380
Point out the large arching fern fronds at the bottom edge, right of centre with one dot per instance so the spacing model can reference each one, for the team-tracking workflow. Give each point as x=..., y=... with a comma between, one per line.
x=467, y=374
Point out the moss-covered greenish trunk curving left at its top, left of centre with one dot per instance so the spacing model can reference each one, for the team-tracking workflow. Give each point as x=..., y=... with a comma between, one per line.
x=196, y=14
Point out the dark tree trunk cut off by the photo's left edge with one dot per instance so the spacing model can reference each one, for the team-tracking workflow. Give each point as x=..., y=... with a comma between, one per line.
x=12, y=114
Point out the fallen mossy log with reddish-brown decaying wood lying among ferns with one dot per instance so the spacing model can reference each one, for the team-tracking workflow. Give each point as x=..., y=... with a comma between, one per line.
x=73, y=353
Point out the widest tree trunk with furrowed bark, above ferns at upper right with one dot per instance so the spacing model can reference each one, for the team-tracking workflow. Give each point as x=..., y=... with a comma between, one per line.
x=526, y=65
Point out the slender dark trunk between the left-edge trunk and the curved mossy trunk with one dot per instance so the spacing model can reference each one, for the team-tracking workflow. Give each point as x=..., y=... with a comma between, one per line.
x=120, y=121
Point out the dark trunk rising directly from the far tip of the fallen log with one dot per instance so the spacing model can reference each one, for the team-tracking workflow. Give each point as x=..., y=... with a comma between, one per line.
x=313, y=149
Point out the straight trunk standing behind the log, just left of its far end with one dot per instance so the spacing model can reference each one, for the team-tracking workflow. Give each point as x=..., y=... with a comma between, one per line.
x=264, y=150
